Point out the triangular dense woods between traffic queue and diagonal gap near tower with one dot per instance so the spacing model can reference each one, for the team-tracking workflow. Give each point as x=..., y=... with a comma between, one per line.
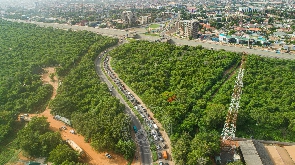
x=157, y=71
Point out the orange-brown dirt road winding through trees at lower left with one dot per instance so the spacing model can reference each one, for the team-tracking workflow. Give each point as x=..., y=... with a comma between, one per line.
x=93, y=157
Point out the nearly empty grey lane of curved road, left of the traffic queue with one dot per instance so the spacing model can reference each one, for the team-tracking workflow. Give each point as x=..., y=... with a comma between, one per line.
x=144, y=147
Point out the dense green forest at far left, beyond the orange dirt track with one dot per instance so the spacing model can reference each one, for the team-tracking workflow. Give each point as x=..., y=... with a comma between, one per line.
x=24, y=50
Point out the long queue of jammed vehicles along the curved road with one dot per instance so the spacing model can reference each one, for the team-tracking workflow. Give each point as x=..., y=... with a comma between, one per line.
x=154, y=133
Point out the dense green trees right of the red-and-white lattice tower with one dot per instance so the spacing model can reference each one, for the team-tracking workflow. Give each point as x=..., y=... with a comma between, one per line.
x=268, y=102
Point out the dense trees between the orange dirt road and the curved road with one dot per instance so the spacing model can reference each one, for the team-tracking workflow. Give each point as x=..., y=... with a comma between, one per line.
x=94, y=112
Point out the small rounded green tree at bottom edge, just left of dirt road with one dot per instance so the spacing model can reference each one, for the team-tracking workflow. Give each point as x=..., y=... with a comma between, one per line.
x=63, y=153
